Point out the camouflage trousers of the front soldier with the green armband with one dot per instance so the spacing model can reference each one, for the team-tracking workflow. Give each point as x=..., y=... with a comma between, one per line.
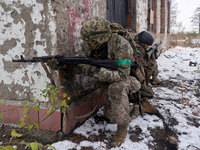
x=117, y=108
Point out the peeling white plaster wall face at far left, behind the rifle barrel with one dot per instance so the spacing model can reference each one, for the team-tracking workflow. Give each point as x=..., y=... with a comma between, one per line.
x=26, y=28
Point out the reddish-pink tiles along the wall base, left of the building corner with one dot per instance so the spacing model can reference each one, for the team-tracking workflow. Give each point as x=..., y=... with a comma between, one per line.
x=12, y=113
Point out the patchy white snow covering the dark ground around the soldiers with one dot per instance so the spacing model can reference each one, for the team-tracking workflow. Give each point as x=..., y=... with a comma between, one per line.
x=176, y=102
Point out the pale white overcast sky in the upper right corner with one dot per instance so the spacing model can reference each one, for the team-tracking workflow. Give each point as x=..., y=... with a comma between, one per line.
x=186, y=9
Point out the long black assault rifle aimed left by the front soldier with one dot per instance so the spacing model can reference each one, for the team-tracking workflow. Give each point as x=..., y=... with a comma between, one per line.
x=74, y=60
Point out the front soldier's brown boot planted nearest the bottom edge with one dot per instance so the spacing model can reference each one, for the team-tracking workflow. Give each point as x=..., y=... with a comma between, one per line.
x=119, y=136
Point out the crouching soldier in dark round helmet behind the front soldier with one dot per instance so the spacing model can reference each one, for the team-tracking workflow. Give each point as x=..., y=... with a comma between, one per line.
x=148, y=66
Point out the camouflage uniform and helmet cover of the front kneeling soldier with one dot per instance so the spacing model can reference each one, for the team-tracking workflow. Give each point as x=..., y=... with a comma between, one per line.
x=118, y=85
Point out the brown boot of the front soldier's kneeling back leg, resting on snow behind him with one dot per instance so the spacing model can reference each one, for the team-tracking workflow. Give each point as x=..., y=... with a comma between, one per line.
x=146, y=107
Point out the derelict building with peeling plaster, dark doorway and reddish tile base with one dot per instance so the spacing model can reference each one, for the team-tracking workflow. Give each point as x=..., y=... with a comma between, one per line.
x=52, y=27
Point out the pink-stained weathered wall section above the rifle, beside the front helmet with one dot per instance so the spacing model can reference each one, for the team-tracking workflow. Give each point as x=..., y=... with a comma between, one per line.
x=69, y=16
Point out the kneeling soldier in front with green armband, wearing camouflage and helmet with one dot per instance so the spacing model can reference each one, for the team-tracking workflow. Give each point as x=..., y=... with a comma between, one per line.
x=99, y=42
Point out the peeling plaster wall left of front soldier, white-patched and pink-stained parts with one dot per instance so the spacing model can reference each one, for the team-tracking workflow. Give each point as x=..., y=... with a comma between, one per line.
x=38, y=28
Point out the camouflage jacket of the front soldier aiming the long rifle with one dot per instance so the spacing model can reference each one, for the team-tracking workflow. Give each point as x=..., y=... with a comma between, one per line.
x=116, y=48
